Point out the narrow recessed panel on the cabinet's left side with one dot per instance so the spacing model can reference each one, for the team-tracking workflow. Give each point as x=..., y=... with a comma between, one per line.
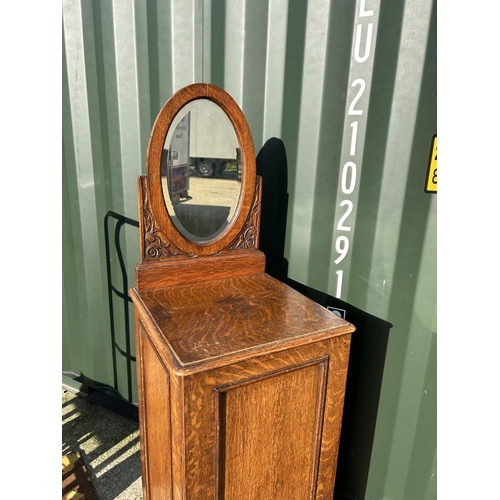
x=157, y=439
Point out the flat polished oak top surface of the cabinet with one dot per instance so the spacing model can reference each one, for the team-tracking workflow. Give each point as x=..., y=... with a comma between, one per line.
x=221, y=321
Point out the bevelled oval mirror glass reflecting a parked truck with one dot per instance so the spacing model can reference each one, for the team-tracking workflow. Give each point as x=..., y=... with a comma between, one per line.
x=201, y=170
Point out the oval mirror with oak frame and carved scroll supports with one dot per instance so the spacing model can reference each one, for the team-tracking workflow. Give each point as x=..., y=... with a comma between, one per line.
x=201, y=195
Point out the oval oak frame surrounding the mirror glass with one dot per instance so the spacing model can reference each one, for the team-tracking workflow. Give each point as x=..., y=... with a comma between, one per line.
x=153, y=168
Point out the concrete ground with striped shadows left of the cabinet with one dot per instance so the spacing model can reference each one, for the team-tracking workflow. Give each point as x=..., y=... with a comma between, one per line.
x=108, y=444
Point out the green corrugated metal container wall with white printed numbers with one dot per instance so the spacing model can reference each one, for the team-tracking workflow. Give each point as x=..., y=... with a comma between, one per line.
x=350, y=89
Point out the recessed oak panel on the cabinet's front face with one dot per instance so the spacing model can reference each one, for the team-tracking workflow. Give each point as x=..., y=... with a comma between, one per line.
x=269, y=438
